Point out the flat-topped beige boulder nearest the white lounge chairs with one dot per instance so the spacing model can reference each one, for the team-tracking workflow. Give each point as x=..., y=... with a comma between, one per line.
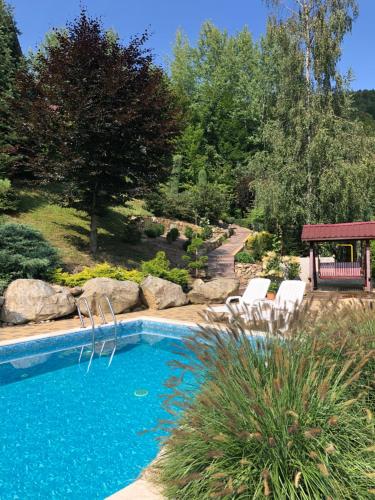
x=213, y=292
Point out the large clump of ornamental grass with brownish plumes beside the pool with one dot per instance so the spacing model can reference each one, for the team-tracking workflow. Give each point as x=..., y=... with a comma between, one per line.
x=276, y=418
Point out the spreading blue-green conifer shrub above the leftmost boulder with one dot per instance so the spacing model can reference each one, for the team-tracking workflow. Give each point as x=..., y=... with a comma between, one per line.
x=24, y=253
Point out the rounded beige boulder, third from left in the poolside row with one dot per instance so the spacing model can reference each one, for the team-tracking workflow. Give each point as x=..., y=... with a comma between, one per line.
x=162, y=294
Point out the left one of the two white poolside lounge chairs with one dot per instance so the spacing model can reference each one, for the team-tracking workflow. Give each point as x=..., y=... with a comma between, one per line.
x=256, y=290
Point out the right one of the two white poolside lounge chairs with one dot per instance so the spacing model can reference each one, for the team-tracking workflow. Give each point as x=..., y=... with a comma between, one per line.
x=288, y=299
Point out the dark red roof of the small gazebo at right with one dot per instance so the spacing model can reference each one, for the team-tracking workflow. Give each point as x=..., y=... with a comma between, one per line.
x=337, y=232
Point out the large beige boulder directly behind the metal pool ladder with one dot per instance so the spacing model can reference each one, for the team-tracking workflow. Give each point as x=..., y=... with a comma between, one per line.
x=124, y=295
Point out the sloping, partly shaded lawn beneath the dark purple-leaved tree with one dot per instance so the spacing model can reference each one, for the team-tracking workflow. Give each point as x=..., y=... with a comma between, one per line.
x=68, y=230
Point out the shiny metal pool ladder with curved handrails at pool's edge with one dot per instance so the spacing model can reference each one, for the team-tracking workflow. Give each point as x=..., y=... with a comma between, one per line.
x=93, y=331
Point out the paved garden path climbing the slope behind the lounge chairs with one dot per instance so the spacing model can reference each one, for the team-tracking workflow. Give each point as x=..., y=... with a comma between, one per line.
x=221, y=260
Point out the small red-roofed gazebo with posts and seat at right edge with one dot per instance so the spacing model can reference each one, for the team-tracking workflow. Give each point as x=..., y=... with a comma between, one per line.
x=353, y=241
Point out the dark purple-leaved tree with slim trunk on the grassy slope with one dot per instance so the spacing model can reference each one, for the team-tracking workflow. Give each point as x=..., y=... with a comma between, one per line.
x=97, y=117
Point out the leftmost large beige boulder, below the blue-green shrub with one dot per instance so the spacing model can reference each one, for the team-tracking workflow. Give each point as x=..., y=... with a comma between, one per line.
x=35, y=300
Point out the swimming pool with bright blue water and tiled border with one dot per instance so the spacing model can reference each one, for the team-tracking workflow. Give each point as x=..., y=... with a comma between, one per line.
x=66, y=433
